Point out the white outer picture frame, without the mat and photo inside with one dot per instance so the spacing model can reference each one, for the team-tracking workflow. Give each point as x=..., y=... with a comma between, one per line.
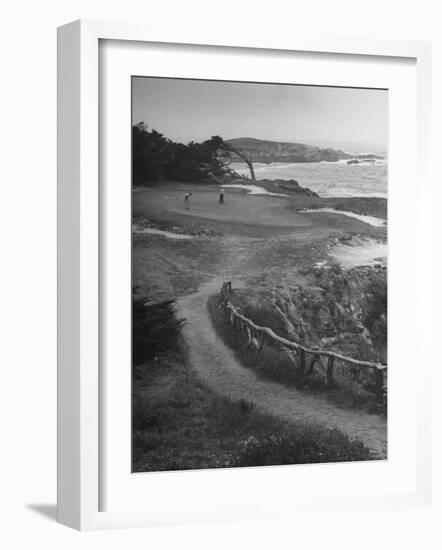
x=79, y=475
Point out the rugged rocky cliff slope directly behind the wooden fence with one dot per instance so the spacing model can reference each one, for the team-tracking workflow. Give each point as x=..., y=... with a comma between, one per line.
x=332, y=308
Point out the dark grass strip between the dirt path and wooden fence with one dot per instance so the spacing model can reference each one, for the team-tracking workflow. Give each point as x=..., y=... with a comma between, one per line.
x=277, y=367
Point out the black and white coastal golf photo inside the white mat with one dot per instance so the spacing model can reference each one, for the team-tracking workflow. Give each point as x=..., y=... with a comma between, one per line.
x=259, y=274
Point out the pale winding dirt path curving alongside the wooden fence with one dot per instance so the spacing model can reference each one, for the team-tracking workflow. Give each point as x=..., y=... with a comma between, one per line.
x=217, y=365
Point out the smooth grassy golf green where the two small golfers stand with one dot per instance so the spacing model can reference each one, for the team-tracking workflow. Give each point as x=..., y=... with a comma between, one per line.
x=249, y=216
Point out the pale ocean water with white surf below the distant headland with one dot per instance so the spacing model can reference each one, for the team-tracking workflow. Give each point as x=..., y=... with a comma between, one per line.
x=328, y=179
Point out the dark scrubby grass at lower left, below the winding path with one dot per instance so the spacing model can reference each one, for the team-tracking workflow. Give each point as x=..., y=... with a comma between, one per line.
x=179, y=423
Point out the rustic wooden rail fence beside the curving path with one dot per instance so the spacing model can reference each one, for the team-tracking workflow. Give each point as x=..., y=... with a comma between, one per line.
x=304, y=358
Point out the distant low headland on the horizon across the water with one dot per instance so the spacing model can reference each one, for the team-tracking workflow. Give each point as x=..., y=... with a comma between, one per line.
x=277, y=151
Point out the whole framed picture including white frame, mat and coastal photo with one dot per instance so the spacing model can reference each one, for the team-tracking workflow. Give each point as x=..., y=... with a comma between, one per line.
x=239, y=223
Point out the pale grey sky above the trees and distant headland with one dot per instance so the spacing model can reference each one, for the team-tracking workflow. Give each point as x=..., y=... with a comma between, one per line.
x=355, y=120
